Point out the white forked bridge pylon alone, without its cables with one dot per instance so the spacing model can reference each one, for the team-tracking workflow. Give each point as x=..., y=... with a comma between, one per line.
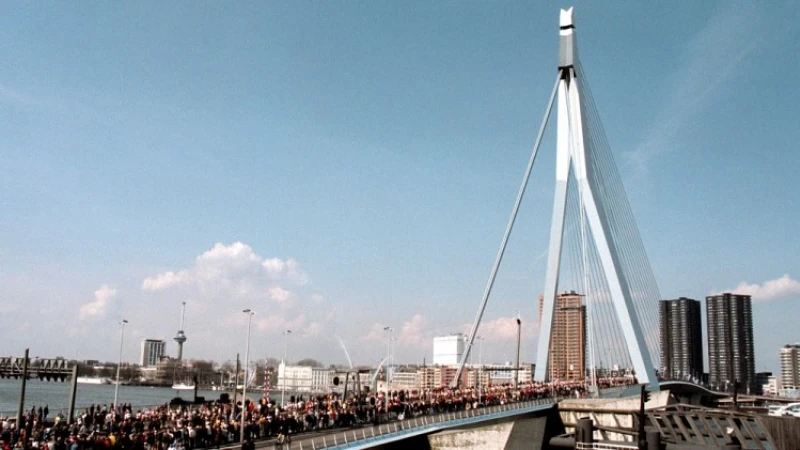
x=571, y=155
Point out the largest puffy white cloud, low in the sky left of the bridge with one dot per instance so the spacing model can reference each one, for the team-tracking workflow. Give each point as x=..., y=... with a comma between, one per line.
x=227, y=278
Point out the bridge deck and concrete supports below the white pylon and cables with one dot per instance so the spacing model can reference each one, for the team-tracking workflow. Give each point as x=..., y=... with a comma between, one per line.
x=540, y=423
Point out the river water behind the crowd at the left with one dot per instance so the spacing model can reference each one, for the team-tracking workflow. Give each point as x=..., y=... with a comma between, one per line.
x=56, y=395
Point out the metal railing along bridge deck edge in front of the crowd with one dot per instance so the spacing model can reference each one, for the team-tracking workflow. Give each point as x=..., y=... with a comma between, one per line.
x=412, y=426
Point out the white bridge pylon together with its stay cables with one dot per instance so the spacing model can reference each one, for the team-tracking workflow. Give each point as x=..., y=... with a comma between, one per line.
x=605, y=216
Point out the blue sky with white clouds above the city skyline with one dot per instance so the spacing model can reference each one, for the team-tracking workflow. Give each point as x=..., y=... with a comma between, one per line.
x=339, y=167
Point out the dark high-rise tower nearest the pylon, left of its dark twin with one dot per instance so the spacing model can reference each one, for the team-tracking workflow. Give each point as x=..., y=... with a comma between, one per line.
x=681, y=339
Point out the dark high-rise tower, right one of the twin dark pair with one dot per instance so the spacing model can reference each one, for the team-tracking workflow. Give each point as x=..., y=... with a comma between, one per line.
x=730, y=342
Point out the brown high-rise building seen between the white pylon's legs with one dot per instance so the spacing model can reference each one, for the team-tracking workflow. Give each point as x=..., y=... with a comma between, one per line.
x=568, y=337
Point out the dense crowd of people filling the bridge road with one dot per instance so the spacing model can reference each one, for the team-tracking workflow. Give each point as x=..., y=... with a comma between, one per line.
x=212, y=424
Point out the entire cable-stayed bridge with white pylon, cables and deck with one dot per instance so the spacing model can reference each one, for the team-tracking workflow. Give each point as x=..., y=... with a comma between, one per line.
x=604, y=259
